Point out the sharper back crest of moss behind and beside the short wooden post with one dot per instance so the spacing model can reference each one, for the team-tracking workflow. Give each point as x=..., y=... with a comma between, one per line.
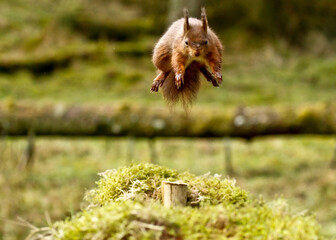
x=145, y=180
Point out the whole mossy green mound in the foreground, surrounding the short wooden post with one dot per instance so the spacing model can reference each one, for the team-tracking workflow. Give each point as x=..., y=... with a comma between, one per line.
x=126, y=206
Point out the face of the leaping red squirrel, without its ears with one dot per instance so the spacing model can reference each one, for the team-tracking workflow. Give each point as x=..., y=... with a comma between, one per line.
x=195, y=44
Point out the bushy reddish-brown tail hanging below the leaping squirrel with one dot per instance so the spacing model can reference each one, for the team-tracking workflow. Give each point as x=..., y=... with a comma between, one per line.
x=188, y=91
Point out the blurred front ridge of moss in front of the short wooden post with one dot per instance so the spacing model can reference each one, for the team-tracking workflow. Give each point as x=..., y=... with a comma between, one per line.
x=134, y=220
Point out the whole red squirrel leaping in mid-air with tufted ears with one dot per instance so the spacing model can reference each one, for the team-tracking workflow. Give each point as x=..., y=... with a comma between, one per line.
x=187, y=48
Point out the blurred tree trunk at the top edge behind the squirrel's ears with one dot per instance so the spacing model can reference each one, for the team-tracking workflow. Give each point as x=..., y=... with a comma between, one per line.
x=175, y=9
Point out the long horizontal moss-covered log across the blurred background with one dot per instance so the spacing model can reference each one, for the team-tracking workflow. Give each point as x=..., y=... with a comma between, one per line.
x=140, y=121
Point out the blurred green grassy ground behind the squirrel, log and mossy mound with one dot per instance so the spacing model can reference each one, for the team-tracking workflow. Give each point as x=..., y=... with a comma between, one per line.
x=277, y=53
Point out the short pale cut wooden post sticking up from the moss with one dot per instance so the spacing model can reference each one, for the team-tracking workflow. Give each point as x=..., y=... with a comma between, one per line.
x=174, y=194
